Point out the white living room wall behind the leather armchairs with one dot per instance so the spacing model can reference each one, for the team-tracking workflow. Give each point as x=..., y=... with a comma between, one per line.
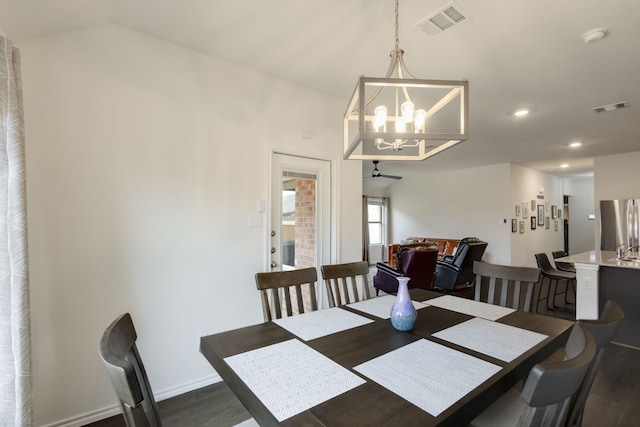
x=456, y=204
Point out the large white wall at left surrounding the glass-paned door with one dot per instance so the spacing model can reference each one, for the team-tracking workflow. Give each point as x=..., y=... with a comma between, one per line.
x=144, y=161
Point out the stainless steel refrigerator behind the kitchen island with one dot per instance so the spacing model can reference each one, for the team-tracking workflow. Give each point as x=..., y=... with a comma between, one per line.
x=619, y=225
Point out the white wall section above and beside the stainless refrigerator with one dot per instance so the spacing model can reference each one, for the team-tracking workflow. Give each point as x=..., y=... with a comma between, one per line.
x=615, y=177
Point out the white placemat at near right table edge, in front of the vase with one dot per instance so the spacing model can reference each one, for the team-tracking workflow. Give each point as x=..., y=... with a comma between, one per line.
x=429, y=375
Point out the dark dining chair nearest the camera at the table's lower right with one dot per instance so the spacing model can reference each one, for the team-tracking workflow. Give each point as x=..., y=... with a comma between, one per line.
x=547, y=392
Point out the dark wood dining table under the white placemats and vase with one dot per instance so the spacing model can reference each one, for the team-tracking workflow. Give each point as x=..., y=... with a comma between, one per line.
x=370, y=403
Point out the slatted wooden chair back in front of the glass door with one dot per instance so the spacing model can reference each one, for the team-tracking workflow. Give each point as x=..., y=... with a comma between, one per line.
x=276, y=288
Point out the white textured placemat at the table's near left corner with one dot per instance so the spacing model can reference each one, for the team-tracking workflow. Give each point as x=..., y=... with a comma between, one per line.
x=291, y=377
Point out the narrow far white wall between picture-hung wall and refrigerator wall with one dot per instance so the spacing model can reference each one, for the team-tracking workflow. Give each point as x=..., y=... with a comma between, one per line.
x=581, y=205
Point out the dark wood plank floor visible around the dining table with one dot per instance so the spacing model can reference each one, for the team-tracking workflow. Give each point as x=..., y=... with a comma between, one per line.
x=614, y=400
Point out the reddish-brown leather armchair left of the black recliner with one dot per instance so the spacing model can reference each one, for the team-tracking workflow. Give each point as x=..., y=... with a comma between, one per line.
x=416, y=261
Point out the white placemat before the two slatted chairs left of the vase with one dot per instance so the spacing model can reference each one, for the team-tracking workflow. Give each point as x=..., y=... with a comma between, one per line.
x=316, y=324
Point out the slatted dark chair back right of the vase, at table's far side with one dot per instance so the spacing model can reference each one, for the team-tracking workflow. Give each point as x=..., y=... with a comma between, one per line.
x=506, y=285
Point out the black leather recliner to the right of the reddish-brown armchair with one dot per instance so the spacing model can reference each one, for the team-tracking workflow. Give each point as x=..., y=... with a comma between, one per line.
x=456, y=271
